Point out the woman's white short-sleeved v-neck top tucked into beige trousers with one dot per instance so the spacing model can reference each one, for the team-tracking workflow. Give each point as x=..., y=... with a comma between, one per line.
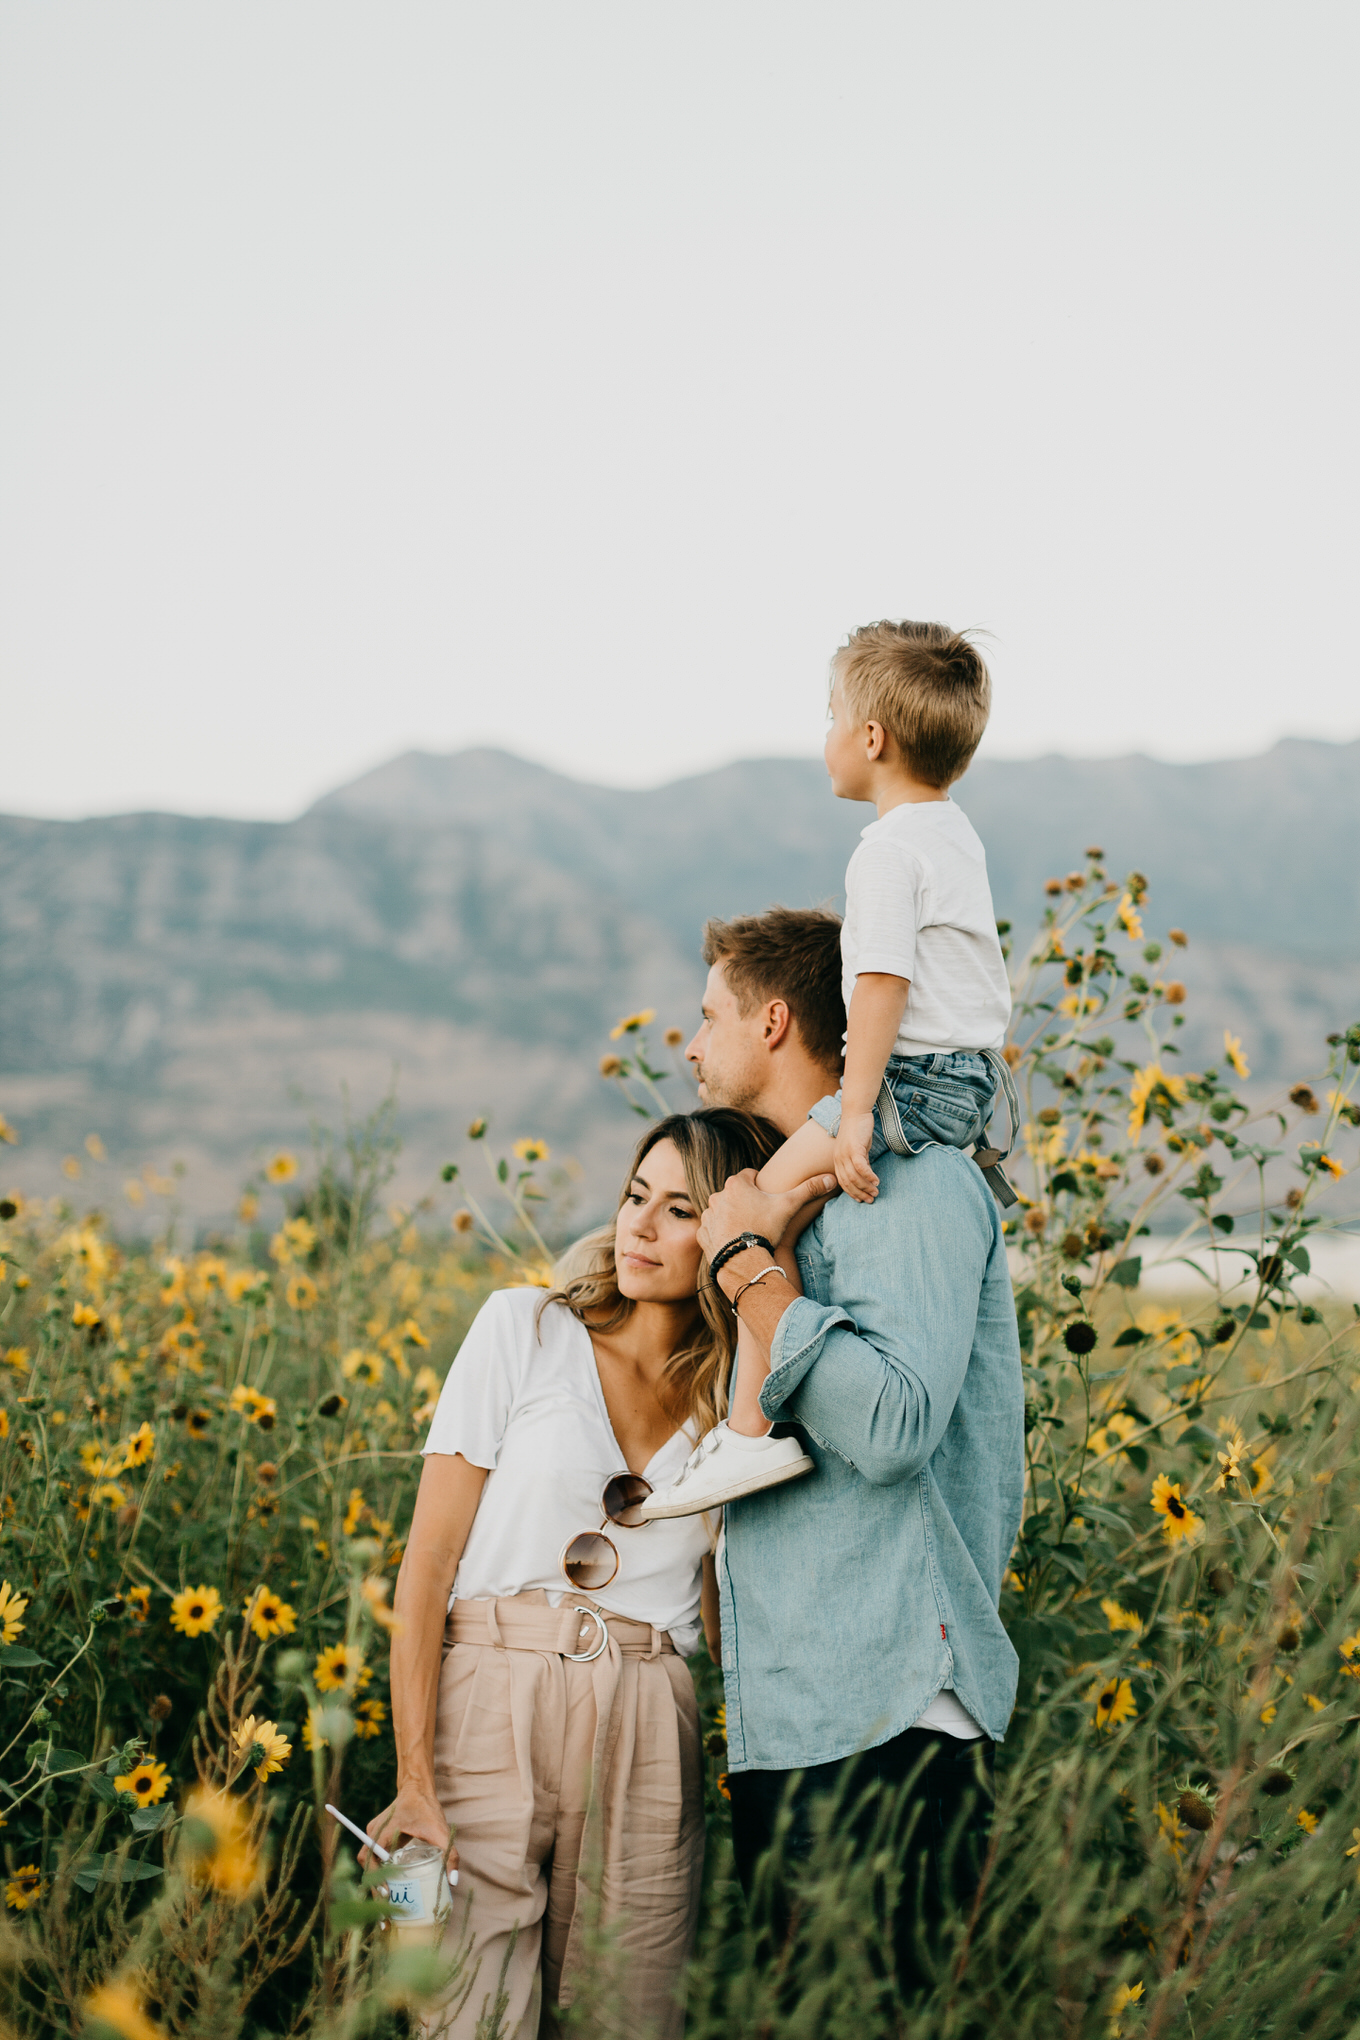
x=525, y=1400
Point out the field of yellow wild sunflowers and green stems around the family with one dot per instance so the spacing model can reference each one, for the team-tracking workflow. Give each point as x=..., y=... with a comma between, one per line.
x=209, y=1456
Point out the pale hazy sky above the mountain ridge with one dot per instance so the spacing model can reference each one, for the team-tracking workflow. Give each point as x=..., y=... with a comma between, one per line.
x=572, y=376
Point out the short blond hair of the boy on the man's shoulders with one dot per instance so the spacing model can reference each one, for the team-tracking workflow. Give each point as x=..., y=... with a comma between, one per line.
x=929, y=688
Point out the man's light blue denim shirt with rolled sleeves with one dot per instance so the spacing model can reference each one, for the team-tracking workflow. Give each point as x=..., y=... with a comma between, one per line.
x=855, y=1594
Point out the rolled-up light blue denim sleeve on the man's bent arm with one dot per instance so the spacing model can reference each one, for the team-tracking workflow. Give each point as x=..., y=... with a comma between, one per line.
x=876, y=1376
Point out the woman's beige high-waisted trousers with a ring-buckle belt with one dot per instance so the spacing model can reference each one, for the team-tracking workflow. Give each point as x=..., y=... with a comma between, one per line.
x=576, y=1800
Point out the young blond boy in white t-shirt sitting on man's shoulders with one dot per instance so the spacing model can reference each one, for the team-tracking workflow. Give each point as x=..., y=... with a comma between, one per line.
x=925, y=980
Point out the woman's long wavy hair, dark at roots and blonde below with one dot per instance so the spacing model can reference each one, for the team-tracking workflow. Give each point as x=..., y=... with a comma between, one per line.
x=713, y=1145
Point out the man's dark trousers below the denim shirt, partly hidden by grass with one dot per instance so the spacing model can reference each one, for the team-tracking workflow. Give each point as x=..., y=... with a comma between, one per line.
x=941, y=1792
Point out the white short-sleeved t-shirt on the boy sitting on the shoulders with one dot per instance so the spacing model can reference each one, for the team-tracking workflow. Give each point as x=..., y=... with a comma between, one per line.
x=919, y=907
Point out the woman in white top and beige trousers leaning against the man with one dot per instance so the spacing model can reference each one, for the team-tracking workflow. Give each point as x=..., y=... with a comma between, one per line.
x=539, y=1694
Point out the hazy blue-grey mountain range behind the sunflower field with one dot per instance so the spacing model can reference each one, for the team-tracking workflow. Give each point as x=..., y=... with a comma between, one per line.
x=476, y=923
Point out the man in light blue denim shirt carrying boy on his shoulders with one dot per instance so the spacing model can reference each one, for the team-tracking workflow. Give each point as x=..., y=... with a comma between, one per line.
x=859, y=1604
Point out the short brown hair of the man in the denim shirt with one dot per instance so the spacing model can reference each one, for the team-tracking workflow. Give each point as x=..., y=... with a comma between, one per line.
x=794, y=956
